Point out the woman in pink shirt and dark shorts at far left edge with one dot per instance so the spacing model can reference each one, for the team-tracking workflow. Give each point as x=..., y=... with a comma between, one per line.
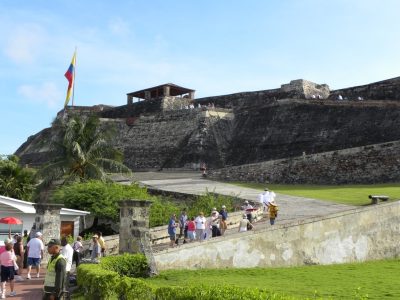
x=7, y=259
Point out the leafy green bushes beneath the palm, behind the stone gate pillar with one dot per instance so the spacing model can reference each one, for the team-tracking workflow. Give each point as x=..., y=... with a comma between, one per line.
x=100, y=198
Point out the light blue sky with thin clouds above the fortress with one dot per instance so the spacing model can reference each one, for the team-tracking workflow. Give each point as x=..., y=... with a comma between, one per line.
x=216, y=47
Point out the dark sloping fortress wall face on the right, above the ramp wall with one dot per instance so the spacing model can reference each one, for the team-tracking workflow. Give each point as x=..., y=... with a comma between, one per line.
x=290, y=127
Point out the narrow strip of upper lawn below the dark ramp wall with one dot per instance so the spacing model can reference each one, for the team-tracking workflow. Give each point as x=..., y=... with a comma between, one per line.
x=355, y=194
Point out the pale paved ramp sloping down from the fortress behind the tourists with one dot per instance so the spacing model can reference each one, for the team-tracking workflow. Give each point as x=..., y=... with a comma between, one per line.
x=290, y=207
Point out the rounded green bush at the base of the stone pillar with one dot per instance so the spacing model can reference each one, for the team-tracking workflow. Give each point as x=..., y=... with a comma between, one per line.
x=126, y=265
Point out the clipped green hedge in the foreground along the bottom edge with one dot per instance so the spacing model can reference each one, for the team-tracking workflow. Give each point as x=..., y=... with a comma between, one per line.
x=102, y=281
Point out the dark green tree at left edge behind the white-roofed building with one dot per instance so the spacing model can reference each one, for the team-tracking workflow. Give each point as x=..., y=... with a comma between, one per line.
x=16, y=181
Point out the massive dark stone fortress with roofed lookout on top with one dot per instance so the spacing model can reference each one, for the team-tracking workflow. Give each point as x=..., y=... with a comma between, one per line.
x=283, y=135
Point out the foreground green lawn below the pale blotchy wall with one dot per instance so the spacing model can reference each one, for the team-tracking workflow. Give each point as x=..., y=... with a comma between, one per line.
x=376, y=279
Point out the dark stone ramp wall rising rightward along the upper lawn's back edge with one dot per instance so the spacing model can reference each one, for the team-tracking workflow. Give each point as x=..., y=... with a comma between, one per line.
x=377, y=163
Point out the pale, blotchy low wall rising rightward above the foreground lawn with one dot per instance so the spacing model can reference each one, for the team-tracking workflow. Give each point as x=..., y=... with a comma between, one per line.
x=357, y=235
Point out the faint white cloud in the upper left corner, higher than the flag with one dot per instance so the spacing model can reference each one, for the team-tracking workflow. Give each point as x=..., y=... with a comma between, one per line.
x=24, y=43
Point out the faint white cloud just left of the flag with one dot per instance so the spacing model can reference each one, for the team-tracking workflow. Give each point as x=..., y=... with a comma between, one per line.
x=46, y=93
